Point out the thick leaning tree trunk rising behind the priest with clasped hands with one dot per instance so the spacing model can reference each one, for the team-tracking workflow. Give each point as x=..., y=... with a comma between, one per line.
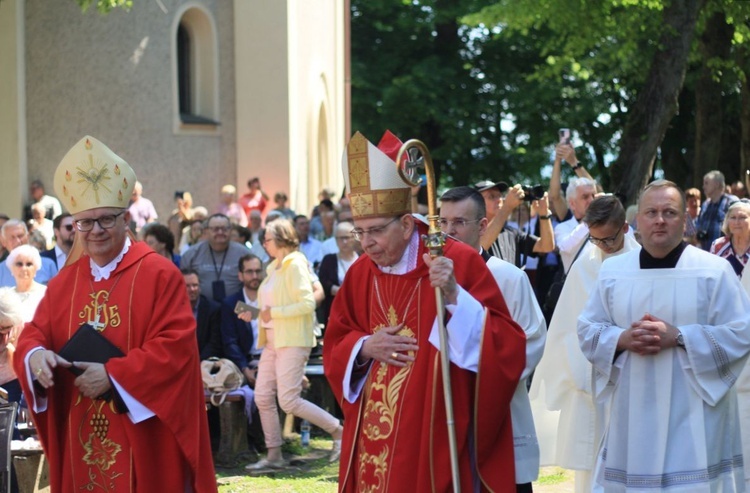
x=656, y=103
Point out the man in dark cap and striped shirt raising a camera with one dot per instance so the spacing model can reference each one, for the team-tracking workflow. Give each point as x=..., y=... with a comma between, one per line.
x=507, y=242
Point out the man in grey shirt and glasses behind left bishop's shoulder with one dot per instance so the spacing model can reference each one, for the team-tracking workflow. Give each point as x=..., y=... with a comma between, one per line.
x=216, y=260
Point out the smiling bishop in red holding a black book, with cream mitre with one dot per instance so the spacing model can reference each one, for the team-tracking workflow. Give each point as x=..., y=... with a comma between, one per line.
x=117, y=423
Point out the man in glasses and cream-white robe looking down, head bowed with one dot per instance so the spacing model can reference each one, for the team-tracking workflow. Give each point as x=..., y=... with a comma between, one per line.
x=561, y=398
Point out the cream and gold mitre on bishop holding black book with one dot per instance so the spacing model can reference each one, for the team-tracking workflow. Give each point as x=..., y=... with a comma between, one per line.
x=91, y=175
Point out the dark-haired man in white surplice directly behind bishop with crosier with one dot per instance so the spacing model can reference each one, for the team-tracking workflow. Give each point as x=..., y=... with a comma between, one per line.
x=463, y=216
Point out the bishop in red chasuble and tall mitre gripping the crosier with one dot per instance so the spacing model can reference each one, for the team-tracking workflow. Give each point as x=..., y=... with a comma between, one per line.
x=380, y=350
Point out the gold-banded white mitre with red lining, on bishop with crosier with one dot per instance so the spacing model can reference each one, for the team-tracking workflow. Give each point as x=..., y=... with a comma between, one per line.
x=373, y=184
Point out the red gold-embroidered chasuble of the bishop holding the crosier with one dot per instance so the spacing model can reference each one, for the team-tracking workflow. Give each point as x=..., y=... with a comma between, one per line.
x=395, y=434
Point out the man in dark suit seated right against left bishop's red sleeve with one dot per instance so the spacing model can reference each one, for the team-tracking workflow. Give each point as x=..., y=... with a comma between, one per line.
x=207, y=315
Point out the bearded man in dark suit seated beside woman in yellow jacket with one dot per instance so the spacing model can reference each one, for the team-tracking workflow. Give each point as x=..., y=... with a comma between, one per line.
x=238, y=331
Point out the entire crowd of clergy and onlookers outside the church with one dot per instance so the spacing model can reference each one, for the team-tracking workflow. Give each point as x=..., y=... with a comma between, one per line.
x=566, y=313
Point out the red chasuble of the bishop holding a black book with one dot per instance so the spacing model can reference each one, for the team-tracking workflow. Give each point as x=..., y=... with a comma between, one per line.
x=144, y=310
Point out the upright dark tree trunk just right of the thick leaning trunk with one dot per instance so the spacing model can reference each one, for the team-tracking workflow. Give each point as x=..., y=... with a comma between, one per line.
x=715, y=43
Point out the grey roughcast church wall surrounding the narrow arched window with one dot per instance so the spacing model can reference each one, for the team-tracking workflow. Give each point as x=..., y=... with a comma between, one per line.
x=112, y=77
